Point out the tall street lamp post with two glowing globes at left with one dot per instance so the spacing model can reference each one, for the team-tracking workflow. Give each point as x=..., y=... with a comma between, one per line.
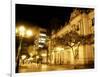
x=21, y=31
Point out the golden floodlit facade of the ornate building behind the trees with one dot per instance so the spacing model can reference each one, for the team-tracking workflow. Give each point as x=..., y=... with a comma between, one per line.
x=81, y=22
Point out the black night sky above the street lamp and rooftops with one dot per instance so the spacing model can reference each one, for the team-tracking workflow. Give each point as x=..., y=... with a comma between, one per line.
x=48, y=17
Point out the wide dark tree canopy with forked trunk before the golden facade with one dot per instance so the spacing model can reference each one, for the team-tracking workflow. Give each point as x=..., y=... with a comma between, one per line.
x=73, y=40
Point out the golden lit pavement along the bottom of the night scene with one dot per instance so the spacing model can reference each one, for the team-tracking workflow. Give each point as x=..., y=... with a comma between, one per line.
x=44, y=67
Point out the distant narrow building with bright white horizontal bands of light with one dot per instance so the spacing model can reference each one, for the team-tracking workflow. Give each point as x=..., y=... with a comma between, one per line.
x=41, y=45
